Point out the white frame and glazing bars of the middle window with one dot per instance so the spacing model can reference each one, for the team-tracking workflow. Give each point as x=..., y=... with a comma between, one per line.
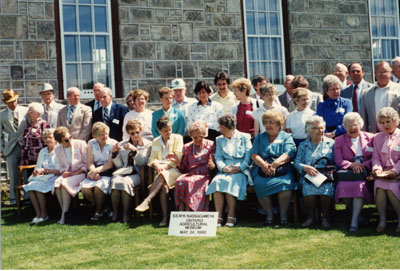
x=281, y=36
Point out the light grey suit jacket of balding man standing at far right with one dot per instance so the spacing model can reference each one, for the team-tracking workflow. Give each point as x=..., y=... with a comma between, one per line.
x=367, y=105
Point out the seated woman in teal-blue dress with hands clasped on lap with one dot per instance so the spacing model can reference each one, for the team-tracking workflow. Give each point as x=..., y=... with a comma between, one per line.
x=272, y=149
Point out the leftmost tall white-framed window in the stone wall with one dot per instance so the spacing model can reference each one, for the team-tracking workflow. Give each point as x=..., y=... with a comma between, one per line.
x=86, y=43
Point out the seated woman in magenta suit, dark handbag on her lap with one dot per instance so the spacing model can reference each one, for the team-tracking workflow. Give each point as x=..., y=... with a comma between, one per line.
x=353, y=151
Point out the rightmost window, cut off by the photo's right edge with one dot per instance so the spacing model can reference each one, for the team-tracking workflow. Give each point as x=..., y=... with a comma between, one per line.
x=384, y=20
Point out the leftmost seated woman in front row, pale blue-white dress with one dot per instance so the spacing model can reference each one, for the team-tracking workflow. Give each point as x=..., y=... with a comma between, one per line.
x=42, y=179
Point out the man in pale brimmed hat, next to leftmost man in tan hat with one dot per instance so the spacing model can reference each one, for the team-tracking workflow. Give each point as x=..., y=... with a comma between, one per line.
x=51, y=108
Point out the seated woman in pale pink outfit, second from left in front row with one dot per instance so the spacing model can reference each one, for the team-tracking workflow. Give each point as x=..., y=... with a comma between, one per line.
x=72, y=156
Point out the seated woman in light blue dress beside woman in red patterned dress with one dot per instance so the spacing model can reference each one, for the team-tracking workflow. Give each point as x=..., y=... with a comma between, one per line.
x=232, y=157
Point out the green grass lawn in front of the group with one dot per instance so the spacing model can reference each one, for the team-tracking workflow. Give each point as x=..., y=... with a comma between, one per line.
x=142, y=245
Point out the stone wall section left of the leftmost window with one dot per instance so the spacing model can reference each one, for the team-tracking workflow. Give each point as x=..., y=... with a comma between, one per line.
x=27, y=46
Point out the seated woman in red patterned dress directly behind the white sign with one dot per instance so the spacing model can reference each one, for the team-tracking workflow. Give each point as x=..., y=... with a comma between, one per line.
x=197, y=164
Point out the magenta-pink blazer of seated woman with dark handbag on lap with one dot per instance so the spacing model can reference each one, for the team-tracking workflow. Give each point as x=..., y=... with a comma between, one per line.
x=344, y=150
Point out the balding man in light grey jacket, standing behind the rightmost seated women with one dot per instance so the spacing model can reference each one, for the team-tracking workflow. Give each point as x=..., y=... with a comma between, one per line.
x=383, y=93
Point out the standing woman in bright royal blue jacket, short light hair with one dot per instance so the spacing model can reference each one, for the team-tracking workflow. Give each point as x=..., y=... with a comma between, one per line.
x=334, y=107
